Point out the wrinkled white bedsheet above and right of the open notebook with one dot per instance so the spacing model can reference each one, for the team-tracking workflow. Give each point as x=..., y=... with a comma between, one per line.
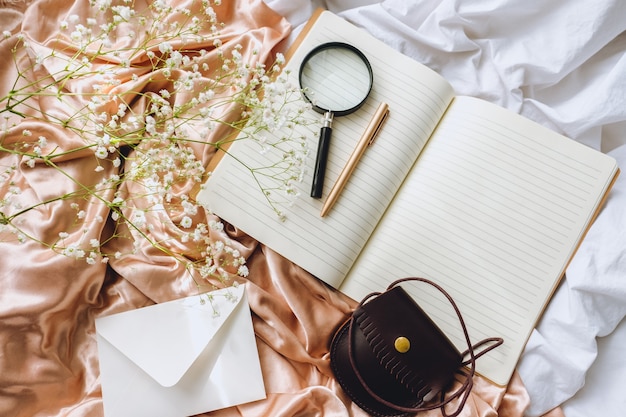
x=562, y=64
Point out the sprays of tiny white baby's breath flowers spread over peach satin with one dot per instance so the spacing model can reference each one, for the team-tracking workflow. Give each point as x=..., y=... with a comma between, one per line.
x=141, y=93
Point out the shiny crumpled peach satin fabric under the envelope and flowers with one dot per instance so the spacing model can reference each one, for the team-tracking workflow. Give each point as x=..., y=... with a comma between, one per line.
x=48, y=303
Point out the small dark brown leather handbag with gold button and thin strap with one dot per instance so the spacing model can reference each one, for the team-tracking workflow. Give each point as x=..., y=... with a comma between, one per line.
x=391, y=359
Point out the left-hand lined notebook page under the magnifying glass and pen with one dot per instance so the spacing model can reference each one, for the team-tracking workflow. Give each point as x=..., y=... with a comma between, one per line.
x=327, y=247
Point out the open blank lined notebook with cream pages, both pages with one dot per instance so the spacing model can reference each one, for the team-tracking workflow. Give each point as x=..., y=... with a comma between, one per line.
x=483, y=201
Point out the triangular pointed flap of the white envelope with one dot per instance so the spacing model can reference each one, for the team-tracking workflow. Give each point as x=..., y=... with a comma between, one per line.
x=165, y=339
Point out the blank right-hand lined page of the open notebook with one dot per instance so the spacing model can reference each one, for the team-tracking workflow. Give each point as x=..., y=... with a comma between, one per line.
x=492, y=211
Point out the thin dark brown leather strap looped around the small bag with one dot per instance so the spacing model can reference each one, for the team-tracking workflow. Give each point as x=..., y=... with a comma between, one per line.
x=464, y=390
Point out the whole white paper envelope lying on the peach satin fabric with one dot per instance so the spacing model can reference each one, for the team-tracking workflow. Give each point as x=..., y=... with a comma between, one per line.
x=180, y=358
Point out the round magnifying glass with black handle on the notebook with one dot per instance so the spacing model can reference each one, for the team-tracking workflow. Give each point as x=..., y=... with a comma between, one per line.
x=336, y=79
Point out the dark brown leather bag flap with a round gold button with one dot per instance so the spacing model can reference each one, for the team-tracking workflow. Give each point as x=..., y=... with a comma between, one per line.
x=407, y=344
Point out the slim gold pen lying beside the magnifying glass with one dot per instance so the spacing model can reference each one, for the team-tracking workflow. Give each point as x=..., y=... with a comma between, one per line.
x=366, y=140
